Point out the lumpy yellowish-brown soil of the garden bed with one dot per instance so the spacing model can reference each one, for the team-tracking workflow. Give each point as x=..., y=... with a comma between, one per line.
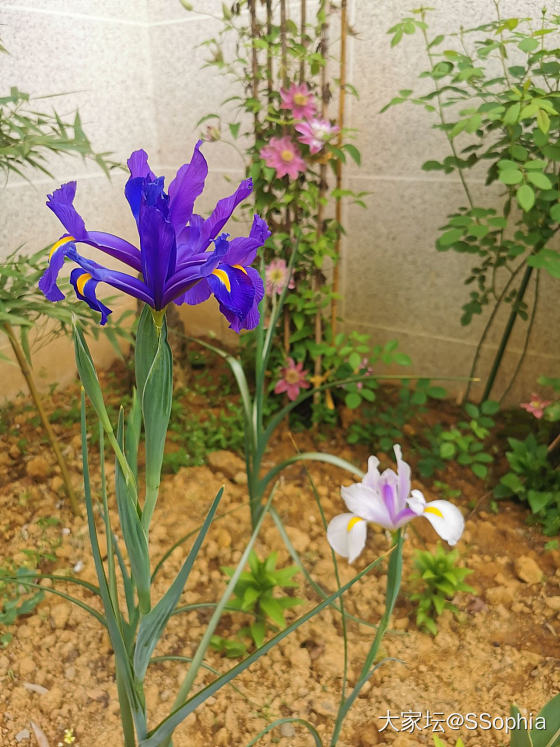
x=503, y=648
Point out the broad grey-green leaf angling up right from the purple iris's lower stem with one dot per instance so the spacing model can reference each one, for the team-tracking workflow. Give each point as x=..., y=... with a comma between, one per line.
x=153, y=624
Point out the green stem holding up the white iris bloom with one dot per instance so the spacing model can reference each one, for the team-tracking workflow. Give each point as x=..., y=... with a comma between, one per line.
x=394, y=574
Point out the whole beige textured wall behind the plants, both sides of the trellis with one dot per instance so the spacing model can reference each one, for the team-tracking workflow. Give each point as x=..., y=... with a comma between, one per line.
x=133, y=69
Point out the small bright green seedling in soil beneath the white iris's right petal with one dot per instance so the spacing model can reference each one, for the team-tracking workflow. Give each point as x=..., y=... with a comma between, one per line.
x=440, y=579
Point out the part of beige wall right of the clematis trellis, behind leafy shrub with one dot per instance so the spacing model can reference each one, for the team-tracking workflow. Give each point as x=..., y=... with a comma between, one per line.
x=396, y=285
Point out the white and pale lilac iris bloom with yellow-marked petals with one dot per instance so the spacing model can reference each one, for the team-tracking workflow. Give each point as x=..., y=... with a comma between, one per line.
x=387, y=499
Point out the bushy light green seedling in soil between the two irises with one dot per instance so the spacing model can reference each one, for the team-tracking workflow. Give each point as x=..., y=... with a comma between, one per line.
x=254, y=594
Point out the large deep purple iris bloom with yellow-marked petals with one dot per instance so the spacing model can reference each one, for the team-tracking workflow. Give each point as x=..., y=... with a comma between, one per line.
x=182, y=257
